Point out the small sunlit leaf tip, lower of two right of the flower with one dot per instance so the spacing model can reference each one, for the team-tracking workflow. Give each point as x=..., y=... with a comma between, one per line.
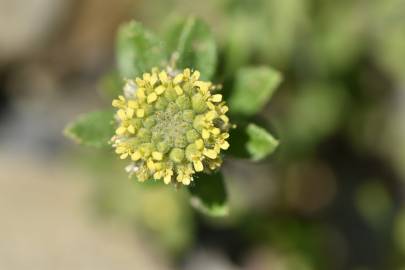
x=260, y=143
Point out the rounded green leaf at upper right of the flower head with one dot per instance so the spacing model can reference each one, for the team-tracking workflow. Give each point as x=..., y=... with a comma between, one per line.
x=253, y=88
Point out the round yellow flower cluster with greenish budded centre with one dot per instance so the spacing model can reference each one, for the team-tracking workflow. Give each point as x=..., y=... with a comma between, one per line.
x=171, y=125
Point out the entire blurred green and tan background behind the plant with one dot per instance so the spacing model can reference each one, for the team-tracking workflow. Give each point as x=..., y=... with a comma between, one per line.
x=332, y=197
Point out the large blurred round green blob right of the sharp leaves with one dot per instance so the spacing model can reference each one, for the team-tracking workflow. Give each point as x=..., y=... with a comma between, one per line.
x=316, y=110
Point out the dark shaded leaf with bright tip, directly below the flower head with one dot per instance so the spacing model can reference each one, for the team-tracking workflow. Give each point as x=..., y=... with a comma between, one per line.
x=209, y=194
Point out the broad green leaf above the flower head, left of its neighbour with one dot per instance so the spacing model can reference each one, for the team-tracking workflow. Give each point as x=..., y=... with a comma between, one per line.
x=138, y=50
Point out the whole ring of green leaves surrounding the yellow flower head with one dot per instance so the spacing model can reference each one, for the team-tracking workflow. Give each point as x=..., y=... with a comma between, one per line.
x=187, y=43
